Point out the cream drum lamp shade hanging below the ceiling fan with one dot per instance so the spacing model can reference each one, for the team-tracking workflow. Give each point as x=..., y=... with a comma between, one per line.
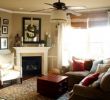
x=58, y=16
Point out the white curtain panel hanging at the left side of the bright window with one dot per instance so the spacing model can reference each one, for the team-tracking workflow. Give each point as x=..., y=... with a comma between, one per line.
x=62, y=30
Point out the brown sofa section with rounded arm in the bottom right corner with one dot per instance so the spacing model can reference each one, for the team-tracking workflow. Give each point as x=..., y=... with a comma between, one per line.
x=98, y=90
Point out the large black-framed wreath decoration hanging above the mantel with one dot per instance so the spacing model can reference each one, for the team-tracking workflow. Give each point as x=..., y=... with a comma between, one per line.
x=31, y=30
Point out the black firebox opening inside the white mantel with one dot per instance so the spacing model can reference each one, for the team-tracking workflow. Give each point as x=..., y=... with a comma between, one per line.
x=31, y=65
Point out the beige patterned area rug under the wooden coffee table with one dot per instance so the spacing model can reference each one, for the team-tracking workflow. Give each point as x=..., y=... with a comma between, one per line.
x=25, y=91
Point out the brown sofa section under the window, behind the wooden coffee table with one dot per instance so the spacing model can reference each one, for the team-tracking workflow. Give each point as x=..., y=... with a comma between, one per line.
x=74, y=77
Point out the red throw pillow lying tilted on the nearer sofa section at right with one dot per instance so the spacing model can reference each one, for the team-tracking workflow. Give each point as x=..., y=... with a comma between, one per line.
x=89, y=79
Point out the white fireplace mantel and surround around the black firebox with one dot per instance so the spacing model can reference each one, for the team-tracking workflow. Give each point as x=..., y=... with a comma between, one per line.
x=33, y=50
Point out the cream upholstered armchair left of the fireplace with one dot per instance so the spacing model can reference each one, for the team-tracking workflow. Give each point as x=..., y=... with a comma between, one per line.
x=8, y=70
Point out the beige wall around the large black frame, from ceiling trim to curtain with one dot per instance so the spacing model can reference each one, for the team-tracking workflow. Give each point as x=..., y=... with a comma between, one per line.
x=15, y=27
